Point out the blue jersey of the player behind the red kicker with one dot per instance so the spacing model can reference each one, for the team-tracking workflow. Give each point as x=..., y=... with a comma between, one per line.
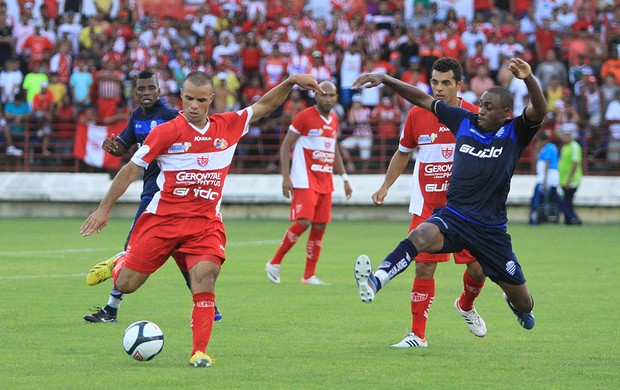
x=139, y=126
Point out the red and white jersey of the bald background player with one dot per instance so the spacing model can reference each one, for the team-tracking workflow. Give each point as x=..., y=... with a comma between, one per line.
x=313, y=155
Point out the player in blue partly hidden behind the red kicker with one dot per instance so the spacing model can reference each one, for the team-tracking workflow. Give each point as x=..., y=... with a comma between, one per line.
x=152, y=111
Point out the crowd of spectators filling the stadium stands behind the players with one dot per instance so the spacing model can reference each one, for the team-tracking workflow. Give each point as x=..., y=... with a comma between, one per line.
x=71, y=61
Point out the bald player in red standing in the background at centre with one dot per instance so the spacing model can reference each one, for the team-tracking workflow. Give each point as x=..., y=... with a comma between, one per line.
x=309, y=180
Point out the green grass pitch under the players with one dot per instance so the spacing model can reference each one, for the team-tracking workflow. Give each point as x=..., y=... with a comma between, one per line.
x=297, y=336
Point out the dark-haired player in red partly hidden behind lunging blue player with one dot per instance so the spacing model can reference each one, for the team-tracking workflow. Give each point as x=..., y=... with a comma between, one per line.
x=431, y=176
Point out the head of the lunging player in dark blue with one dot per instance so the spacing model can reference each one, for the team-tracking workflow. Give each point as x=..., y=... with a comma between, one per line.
x=496, y=104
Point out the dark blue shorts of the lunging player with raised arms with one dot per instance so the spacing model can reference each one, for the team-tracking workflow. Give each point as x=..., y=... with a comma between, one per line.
x=491, y=246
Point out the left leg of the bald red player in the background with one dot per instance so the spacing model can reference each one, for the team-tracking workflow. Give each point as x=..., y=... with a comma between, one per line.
x=302, y=212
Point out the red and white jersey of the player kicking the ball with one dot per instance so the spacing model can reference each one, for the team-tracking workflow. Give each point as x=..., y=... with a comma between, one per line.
x=193, y=162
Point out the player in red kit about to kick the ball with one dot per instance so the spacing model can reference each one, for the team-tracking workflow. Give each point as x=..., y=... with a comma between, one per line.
x=194, y=152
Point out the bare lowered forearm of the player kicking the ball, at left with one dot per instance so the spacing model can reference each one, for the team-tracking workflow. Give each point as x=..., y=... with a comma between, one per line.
x=100, y=217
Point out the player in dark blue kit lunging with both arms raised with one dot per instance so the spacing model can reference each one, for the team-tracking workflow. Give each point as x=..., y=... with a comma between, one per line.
x=488, y=146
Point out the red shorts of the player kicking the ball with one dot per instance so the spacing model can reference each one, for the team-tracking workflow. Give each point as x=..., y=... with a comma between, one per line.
x=154, y=238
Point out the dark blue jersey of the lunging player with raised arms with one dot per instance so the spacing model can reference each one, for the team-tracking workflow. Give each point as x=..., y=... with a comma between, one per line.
x=483, y=163
